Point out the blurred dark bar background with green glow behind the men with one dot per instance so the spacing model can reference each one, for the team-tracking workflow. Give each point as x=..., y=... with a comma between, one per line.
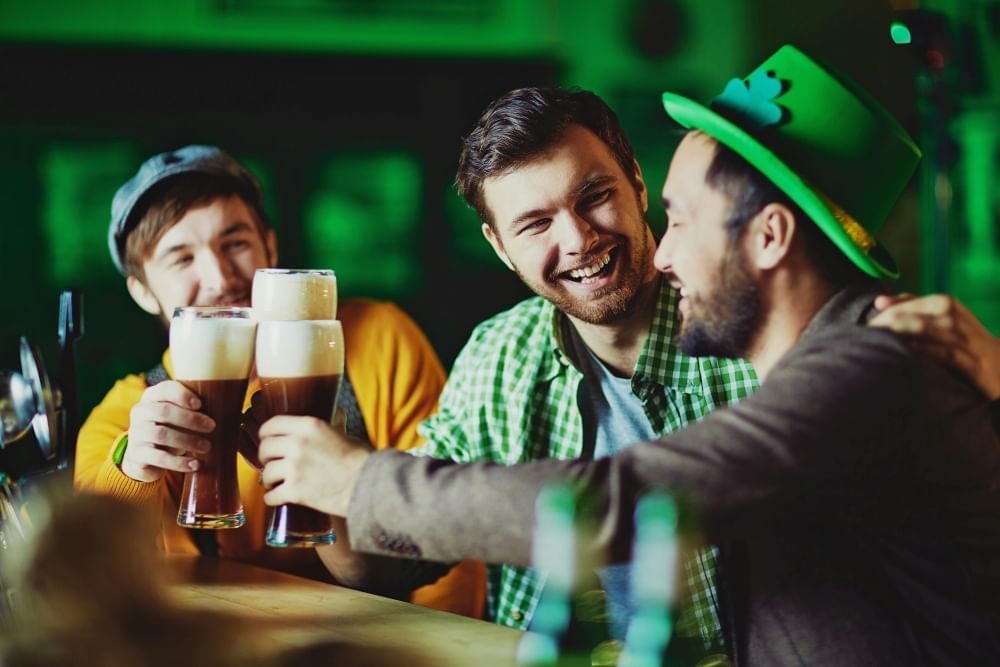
x=351, y=113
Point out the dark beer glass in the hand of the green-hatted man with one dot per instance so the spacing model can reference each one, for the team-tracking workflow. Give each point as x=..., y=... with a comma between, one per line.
x=300, y=364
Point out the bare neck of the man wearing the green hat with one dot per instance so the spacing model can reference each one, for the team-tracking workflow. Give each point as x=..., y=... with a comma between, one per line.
x=791, y=300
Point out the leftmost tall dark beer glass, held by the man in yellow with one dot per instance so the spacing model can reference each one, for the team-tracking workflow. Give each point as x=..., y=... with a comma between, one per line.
x=211, y=349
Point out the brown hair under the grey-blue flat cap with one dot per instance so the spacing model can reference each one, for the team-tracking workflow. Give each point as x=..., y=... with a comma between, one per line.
x=169, y=201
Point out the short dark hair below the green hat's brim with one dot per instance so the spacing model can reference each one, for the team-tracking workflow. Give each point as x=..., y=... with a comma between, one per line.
x=750, y=191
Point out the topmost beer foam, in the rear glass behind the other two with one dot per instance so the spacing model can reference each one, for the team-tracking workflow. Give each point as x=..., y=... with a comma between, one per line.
x=294, y=294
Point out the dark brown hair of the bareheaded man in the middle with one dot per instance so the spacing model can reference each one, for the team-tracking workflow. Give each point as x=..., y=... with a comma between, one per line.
x=525, y=123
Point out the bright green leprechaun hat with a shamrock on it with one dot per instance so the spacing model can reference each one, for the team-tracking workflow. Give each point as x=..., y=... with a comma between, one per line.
x=822, y=140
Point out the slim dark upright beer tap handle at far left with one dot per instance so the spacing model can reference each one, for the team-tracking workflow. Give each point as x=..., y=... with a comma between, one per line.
x=70, y=330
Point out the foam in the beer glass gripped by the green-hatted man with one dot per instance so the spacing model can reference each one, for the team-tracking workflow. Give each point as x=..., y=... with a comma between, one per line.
x=299, y=348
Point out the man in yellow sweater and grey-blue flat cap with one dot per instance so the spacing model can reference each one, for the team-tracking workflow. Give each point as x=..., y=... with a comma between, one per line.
x=189, y=229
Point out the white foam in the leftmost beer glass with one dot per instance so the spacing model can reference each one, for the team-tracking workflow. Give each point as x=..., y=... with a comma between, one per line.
x=207, y=347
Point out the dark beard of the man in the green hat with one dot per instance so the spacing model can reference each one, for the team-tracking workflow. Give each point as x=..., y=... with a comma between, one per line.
x=722, y=323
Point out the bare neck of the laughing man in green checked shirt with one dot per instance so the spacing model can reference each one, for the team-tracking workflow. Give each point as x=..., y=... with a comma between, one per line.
x=618, y=344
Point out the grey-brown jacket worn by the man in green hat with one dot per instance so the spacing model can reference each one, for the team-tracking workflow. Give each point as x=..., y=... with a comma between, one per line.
x=855, y=499
